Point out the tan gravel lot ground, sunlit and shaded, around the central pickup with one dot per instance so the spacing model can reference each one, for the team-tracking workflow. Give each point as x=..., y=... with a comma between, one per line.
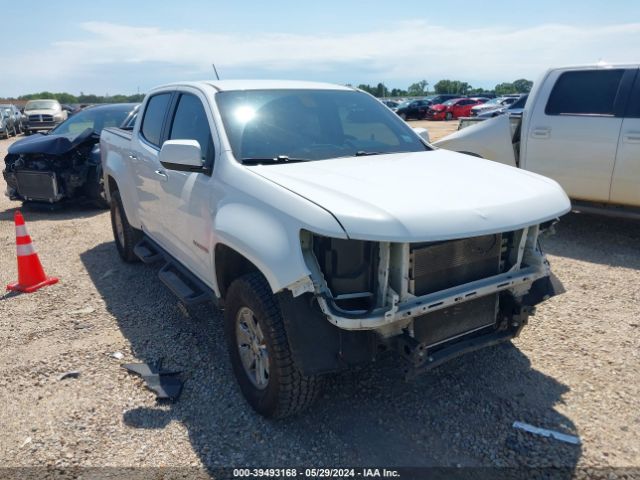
x=576, y=369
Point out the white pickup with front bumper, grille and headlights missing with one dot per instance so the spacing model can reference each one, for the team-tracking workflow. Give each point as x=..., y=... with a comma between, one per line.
x=327, y=229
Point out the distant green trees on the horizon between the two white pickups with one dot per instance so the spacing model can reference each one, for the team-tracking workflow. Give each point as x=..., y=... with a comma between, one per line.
x=458, y=87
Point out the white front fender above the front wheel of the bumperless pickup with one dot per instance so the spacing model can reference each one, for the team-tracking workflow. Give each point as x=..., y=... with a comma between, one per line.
x=271, y=243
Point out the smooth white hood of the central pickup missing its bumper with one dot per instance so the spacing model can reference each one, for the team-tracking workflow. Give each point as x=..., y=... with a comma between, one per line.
x=422, y=196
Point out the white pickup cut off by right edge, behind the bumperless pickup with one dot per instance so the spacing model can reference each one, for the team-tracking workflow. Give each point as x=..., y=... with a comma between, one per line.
x=581, y=127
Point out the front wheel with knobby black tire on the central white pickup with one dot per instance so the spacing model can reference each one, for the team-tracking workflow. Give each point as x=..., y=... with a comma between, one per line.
x=262, y=362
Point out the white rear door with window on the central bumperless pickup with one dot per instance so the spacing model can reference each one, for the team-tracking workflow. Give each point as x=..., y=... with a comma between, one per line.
x=146, y=145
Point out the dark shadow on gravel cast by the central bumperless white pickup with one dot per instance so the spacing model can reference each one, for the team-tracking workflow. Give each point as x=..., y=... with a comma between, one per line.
x=460, y=414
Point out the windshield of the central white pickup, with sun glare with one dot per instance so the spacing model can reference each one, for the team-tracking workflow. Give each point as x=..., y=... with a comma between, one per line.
x=311, y=125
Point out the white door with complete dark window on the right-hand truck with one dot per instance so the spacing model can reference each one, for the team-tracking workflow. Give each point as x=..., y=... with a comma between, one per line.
x=572, y=135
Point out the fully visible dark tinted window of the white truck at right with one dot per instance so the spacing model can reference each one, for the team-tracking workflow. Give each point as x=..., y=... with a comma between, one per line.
x=591, y=92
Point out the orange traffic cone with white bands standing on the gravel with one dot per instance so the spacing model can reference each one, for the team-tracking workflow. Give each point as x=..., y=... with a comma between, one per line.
x=31, y=276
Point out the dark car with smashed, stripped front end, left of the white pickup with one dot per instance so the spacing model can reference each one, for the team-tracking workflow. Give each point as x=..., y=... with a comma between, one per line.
x=64, y=164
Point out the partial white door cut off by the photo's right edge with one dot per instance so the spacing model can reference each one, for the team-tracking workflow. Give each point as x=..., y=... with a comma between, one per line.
x=625, y=185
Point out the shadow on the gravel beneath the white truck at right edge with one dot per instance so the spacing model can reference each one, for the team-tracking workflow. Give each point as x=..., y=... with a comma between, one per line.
x=596, y=239
